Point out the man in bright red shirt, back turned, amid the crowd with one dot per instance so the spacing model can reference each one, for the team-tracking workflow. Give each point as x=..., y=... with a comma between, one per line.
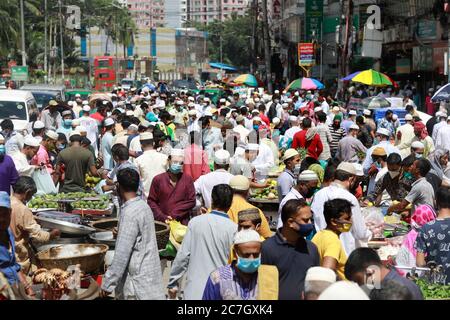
x=308, y=139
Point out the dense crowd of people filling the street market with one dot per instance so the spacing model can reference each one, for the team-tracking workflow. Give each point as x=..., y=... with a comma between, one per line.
x=186, y=157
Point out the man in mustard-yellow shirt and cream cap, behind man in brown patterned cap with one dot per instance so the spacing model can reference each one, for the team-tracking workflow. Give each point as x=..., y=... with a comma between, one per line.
x=241, y=186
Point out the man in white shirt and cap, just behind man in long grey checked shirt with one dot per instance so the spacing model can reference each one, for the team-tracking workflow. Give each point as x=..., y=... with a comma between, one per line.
x=151, y=163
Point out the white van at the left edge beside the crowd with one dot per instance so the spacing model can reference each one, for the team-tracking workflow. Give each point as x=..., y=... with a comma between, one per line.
x=19, y=106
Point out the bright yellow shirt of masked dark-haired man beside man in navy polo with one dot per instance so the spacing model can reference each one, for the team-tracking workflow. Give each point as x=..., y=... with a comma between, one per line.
x=329, y=245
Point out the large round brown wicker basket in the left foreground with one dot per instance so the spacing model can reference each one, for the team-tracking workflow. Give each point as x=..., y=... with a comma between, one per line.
x=89, y=263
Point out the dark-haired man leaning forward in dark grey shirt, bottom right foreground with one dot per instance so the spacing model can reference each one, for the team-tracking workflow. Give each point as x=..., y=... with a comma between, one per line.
x=365, y=268
